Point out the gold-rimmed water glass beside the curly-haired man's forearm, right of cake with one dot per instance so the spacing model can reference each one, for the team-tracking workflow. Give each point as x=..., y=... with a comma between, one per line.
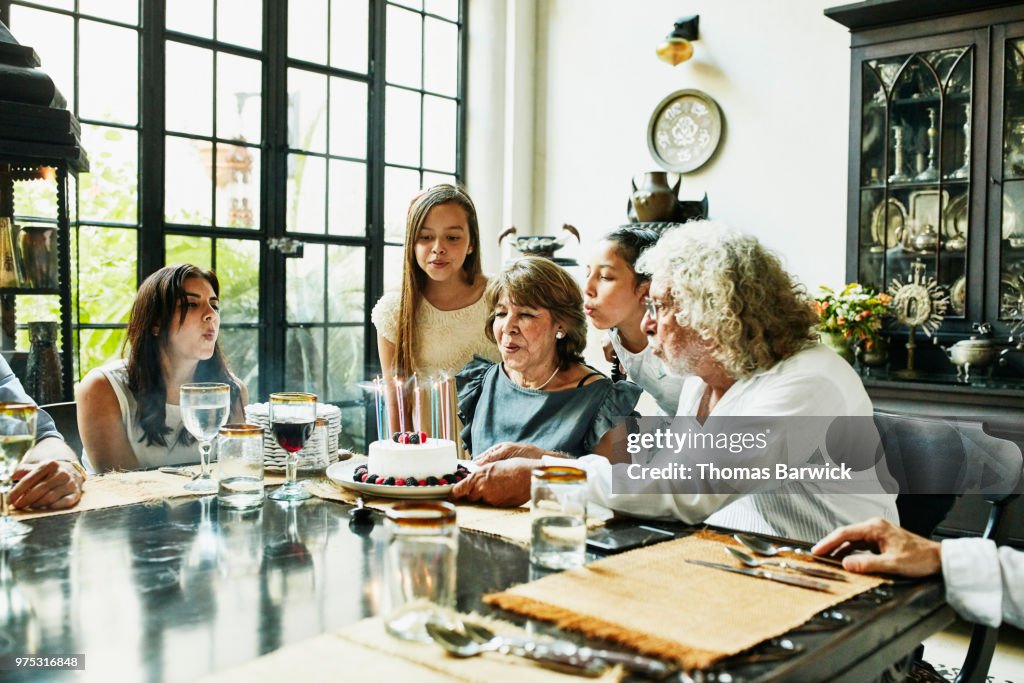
x=559, y=518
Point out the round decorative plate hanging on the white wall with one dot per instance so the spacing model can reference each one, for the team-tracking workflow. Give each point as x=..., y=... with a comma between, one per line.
x=685, y=132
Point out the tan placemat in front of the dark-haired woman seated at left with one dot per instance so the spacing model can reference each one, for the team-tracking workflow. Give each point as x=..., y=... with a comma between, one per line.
x=117, y=489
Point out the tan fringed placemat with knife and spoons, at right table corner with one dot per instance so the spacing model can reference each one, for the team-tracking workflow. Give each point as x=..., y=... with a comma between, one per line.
x=653, y=601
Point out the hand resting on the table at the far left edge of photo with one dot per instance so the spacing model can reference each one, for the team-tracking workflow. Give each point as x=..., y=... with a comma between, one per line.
x=48, y=478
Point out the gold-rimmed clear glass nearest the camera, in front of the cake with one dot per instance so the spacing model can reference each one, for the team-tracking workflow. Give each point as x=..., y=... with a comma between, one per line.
x=420, y=568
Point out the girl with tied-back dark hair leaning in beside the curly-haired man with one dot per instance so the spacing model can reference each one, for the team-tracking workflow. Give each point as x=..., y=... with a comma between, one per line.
x=614, y=301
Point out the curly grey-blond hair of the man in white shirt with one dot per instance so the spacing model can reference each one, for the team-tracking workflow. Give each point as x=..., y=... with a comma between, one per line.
x=735, y=293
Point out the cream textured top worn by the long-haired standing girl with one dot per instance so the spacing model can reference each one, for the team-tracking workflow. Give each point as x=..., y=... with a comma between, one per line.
x=447, y=340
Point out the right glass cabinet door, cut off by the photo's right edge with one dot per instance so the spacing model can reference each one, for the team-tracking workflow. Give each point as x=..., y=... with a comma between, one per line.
x=1011, y=234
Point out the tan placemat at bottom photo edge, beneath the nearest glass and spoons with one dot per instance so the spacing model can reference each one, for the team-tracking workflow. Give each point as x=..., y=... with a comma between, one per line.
x=365, y=652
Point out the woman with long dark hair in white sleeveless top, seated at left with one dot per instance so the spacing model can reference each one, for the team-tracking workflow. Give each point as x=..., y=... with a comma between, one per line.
x=129, y=412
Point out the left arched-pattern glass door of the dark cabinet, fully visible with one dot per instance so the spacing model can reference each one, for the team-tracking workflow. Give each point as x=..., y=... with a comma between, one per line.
x=915, y=173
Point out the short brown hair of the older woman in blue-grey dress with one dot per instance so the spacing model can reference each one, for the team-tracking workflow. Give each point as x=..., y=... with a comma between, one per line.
x=538, y=283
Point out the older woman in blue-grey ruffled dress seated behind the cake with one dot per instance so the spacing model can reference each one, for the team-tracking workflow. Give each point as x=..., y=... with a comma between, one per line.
x=541, y=399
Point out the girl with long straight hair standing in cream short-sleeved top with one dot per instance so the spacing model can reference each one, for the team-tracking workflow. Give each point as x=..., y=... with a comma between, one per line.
x=437, y=323
